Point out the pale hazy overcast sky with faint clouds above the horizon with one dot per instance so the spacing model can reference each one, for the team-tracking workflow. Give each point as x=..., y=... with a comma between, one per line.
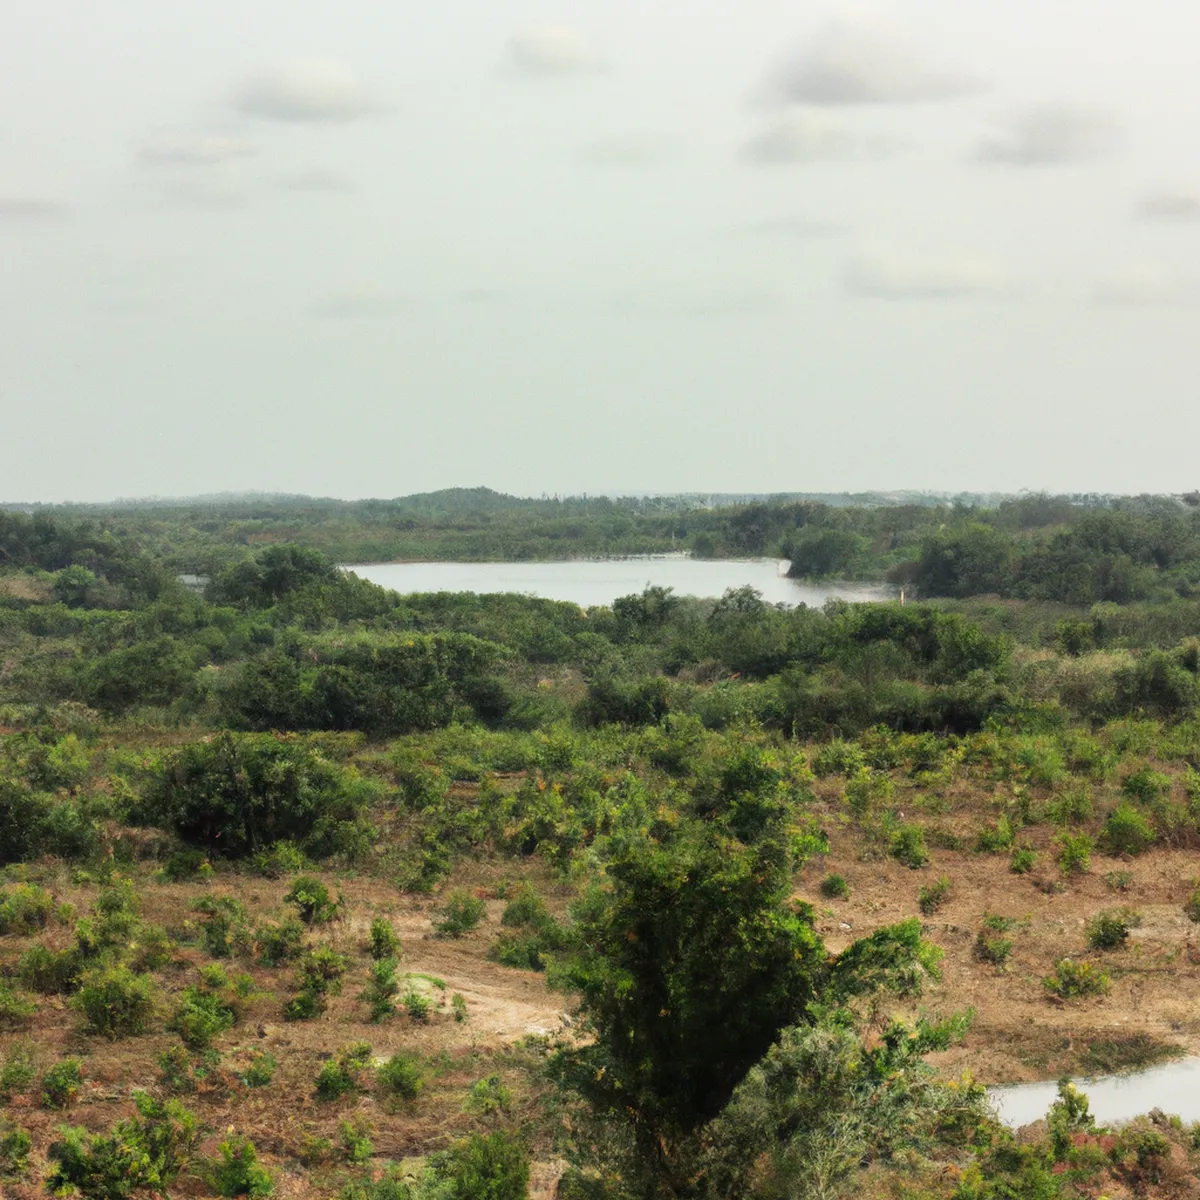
x=369, y=249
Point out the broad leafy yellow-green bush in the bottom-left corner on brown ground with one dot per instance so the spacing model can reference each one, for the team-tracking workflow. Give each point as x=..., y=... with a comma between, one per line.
x=143, y=1154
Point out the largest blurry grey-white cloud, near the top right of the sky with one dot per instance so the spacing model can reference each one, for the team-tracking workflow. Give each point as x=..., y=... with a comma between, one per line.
x=862, y=64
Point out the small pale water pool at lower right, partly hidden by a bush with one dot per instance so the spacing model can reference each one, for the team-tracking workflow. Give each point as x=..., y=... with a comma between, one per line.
x=1174, y=1088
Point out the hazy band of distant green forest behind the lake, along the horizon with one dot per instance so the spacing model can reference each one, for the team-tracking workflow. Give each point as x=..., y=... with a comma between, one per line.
x=1073, y=550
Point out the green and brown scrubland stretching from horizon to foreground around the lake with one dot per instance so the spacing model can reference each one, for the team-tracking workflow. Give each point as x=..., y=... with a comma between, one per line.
x=214, y=806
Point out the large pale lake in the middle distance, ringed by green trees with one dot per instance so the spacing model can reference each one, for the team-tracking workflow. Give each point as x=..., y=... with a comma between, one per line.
x=590, y=583
